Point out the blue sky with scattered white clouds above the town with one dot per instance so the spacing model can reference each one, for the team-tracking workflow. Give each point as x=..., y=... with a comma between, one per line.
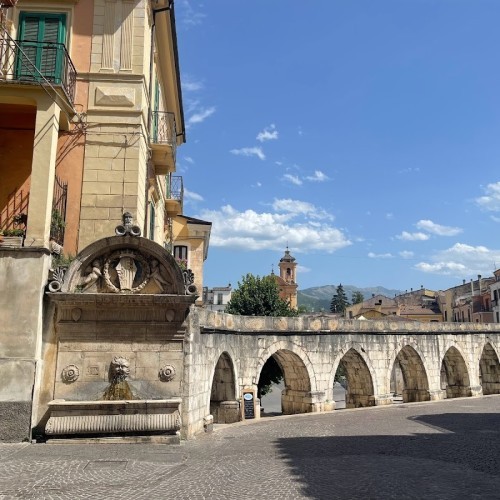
x=363, y=135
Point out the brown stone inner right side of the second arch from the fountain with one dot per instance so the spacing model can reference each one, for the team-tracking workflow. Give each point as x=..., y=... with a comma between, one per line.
x=296, y=397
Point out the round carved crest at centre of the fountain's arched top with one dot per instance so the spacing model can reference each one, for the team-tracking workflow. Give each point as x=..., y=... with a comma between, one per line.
x=126, y=271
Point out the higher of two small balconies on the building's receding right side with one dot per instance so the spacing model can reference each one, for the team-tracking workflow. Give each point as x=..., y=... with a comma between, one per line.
x=163, y=136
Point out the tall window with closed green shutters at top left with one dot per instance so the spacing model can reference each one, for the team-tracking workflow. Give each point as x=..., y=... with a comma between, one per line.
x=41, y=38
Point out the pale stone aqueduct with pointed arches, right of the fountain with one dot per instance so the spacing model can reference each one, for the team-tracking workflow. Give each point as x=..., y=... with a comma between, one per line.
x=437, y=360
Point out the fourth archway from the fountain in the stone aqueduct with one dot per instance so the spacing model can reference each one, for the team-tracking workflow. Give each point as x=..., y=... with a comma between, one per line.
x=409, y=377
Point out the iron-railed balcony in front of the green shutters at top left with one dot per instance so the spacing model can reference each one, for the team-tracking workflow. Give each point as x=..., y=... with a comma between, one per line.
x=37, y=63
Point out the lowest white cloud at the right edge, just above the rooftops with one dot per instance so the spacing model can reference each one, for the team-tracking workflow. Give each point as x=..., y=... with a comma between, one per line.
x=462, y=261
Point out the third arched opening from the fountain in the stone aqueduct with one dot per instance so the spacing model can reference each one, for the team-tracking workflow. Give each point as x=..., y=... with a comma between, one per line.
x=353, y=381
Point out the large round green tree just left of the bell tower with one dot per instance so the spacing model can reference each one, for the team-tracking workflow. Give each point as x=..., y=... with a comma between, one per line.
x=256, y=296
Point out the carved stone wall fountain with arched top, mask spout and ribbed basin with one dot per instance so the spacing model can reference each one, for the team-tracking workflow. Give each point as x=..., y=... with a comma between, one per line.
x=118, y=341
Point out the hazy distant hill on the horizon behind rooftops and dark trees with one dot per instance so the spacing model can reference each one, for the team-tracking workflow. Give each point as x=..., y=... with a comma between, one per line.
x=318, y=298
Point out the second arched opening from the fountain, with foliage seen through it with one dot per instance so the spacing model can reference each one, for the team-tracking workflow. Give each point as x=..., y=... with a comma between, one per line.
x=296, y=395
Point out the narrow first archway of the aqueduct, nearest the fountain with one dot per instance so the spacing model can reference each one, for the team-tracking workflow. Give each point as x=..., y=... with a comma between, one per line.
x=223, y=404
